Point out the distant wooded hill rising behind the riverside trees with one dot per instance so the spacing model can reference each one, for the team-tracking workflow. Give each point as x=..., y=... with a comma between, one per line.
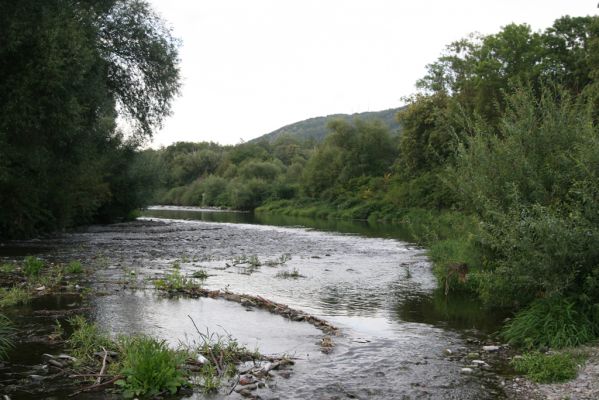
x=316, y=128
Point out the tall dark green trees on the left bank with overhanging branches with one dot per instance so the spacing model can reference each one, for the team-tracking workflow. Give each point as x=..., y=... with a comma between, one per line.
x=67, y=71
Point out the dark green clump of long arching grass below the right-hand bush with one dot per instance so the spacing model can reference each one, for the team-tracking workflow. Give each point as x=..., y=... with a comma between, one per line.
x=555, y=322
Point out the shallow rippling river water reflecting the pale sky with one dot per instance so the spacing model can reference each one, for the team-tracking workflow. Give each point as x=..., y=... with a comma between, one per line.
x=394, y=325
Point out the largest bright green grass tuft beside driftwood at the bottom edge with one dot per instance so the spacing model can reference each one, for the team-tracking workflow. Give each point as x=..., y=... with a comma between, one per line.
x=149, y=367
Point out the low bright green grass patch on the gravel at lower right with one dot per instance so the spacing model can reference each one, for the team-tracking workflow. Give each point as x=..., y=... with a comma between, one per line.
x=548, y=368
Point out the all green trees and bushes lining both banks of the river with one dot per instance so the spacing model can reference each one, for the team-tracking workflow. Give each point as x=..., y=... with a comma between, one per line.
x=495, y=168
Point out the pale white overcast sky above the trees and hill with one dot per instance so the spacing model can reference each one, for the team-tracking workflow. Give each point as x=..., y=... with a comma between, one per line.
x=250, y=67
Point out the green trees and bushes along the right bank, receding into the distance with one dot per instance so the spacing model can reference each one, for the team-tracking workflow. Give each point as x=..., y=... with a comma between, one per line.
x=499, y=150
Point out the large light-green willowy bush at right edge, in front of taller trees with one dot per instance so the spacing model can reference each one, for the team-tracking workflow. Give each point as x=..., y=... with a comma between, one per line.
x=535, y=187
